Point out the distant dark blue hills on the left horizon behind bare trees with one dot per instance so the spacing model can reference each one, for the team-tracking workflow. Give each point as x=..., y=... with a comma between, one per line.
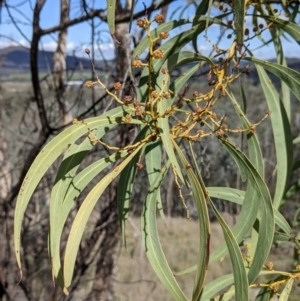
x=16, y=59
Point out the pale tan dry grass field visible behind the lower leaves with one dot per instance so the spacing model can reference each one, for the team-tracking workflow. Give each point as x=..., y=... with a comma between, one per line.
x=135, y=280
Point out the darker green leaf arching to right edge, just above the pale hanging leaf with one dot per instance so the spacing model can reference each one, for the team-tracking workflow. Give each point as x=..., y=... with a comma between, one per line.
x=287, y=75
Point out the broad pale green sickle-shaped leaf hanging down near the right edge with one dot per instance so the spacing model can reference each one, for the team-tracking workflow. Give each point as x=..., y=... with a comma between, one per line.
x=282, y=136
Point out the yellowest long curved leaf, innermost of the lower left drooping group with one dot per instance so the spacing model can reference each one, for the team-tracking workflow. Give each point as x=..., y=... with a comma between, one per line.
x=84, y=213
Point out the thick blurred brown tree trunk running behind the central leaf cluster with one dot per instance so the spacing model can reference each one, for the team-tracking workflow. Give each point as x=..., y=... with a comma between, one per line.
x=103, y=285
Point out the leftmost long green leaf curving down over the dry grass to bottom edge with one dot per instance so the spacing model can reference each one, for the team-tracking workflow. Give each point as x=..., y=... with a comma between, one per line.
x=152, y=245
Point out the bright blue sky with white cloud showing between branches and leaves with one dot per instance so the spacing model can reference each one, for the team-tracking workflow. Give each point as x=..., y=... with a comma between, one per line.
x=79, y=36
